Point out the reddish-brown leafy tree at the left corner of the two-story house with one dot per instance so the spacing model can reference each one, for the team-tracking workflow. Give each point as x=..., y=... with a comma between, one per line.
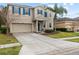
x=3, y=15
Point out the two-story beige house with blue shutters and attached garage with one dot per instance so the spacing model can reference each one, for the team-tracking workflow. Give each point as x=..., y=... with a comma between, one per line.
x=29, y=19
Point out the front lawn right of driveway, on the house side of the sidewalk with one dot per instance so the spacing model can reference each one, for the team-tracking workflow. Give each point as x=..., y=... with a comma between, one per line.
x=63, y=34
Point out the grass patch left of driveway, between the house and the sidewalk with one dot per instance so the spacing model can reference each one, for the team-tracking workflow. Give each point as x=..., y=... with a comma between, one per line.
x=5, y=39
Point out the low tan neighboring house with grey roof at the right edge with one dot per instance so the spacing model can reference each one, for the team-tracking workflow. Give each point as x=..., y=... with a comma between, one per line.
x=70, y=24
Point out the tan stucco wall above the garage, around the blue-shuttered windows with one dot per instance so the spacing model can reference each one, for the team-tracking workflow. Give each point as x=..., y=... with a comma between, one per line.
x=16, y=18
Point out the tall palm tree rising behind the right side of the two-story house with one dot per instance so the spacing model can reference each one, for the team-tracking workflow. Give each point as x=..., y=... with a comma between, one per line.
x=58, y=11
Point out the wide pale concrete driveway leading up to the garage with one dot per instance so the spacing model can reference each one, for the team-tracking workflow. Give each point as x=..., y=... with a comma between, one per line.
x=36, y=44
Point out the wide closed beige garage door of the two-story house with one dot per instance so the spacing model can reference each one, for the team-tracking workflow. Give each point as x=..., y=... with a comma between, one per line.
x=21, y=28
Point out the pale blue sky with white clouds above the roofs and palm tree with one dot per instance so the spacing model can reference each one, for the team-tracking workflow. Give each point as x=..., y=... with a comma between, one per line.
x=73, y=8
